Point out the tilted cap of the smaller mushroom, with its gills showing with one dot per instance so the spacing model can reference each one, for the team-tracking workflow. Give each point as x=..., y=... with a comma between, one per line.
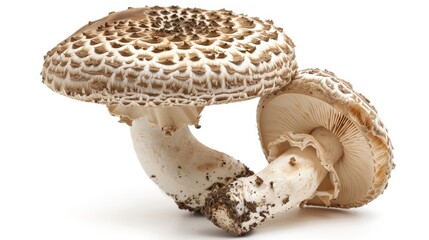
x=317, y=98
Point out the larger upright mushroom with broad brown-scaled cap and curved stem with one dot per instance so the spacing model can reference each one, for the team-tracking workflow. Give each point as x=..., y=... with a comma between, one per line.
x=157, y=67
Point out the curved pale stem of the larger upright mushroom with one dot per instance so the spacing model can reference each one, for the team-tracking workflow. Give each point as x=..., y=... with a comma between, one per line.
x=180, y=165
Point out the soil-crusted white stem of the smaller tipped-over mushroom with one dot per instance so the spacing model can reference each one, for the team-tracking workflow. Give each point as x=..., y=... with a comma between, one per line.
x=292, y=178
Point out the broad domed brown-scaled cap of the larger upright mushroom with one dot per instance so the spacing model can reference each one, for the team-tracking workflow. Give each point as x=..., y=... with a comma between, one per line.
x=168, y=56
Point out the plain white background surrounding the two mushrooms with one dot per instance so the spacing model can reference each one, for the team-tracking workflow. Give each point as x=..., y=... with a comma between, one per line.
x=68, y=169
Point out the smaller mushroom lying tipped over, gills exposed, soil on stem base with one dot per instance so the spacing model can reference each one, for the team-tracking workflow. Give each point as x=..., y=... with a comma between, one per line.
x=325, y=146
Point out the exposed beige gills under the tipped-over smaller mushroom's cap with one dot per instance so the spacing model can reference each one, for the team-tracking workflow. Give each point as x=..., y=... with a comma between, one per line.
x=350, y=179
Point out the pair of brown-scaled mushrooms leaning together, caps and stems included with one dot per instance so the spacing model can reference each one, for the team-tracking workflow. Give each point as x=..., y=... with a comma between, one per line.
x=157, y=68
